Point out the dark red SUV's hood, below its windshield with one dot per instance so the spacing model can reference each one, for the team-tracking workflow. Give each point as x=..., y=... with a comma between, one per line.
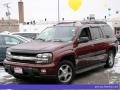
x=39, y=46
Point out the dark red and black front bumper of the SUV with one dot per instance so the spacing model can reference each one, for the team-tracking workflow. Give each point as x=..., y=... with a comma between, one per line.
x=35, y=70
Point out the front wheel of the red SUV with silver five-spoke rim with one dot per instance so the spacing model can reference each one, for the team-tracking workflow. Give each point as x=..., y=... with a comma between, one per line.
x=65, y=72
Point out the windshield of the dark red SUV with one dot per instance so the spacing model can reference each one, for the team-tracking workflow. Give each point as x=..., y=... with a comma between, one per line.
x=60, y=33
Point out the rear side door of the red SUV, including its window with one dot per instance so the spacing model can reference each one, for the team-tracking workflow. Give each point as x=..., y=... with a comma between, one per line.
x=99, y=44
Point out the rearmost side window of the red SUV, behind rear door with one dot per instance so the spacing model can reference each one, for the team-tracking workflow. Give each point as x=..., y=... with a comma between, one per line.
x=107, y=31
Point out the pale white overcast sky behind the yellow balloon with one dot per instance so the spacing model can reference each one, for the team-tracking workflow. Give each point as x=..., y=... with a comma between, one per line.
x=41, y=9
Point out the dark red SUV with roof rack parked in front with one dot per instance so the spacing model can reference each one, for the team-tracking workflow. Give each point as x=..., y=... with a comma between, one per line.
x=64, y=50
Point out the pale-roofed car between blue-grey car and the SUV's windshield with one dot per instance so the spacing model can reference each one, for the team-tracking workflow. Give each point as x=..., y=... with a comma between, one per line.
x=27, y=35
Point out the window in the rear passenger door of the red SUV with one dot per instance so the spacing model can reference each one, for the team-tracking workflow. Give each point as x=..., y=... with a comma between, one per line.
x=95, y=31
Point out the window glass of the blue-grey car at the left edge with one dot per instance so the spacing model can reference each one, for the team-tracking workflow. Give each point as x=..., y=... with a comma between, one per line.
x=11, y=40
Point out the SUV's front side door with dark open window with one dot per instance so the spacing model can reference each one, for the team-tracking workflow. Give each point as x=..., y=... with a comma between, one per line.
x=84, y=50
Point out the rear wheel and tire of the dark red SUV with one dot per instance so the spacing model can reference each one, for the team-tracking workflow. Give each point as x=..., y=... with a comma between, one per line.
x=110, y=60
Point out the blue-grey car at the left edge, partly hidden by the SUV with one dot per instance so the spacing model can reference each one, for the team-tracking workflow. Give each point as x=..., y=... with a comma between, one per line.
x=8, y=41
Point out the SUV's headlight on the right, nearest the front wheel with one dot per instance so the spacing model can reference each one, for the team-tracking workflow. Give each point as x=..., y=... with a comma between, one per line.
x=44, y=58
